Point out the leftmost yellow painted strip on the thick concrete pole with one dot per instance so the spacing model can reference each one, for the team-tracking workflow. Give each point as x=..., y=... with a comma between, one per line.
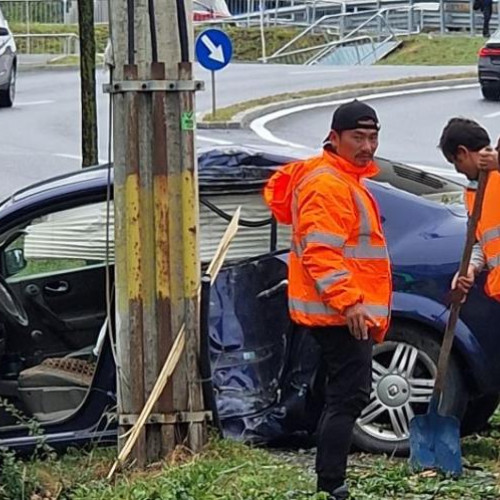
x=133, y=237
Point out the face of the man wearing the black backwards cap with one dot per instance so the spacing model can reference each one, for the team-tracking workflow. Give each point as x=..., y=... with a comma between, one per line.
x=358, y=146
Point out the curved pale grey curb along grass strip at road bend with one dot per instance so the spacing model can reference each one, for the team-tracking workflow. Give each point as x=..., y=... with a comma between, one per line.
x=244, y=118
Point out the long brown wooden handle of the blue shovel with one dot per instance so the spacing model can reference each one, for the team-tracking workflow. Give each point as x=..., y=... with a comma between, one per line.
x=444, y=353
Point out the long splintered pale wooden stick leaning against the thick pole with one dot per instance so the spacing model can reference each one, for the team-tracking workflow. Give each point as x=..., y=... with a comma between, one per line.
x=176, y=351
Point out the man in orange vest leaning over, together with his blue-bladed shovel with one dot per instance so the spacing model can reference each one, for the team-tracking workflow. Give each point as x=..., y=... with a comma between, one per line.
x=435, y=438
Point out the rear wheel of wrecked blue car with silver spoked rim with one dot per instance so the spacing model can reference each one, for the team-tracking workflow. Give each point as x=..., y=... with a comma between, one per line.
x=404, y=370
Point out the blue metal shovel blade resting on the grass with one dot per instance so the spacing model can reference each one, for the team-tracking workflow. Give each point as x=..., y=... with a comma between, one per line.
x=435, y=443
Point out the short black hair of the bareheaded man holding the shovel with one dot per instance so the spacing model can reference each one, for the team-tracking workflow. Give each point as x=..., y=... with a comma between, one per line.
x=462, y=132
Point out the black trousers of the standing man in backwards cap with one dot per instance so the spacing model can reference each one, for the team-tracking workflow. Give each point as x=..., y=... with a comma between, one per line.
x=348, y=364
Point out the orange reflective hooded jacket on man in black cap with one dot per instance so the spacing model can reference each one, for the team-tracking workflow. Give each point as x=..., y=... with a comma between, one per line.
x=338, y=255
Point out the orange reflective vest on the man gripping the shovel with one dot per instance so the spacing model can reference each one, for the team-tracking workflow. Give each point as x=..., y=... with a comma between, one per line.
x=488, y=231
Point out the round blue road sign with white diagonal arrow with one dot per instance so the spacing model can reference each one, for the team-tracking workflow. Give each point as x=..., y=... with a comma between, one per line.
x=213, y=49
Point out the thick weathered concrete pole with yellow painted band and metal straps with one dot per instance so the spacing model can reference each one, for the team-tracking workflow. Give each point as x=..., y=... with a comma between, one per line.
x=156, y=220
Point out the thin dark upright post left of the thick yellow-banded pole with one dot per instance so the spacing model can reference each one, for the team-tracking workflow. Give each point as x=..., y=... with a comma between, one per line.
x=90, y=155
